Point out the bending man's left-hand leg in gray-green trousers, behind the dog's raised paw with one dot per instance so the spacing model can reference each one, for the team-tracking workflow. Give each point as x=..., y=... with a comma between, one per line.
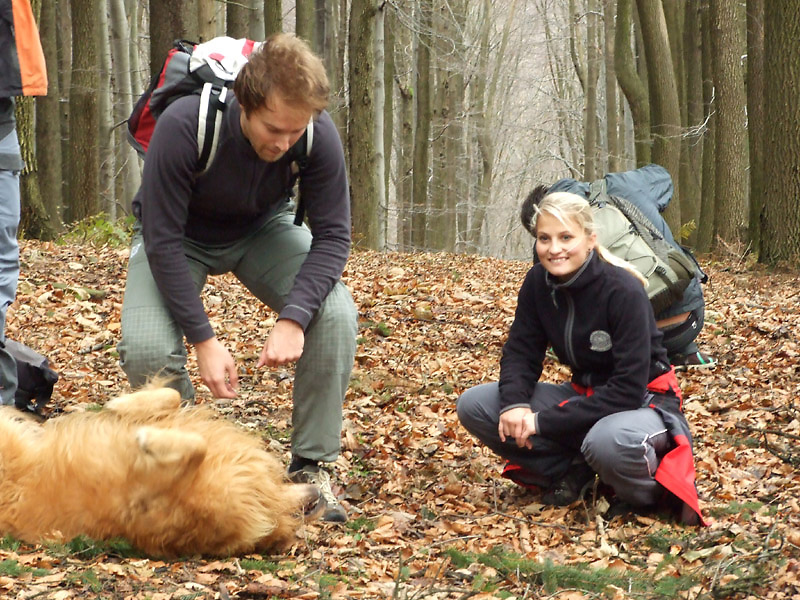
x=152, y=343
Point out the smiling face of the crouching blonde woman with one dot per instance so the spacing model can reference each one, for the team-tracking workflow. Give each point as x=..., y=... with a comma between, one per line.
x=562, y=249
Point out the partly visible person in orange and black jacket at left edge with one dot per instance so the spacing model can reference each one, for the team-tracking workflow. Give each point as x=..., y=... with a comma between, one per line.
x=22, y=73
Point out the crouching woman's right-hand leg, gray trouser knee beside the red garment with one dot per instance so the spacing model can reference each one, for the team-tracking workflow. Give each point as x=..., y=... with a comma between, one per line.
x=625, y=450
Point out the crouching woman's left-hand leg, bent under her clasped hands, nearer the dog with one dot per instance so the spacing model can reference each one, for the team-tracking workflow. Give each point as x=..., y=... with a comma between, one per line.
x=548, y=465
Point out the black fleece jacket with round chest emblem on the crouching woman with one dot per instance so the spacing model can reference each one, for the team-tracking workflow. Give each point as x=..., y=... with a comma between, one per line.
x=600, y=324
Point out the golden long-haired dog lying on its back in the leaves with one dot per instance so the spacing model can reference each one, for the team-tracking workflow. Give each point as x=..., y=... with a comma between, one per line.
x=173, y=481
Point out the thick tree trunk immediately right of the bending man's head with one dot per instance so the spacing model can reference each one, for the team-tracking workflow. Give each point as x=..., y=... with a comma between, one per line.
x=366, y=181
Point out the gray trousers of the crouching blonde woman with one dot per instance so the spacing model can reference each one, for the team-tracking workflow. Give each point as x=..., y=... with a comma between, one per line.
x=624, y=449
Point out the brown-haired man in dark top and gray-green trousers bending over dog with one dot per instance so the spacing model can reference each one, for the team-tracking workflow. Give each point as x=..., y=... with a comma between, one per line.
x=236, y=217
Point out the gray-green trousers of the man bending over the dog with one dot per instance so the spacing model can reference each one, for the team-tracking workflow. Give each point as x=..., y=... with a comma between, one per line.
x=266, y=262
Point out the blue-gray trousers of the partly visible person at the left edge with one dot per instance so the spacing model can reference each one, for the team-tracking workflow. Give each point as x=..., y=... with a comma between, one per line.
x=9, y=262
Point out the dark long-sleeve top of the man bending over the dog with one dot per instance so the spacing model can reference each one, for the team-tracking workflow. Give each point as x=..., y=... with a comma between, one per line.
x=236, y=195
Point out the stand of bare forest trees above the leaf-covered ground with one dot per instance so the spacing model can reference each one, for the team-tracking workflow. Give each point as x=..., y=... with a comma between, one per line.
x=450, y=111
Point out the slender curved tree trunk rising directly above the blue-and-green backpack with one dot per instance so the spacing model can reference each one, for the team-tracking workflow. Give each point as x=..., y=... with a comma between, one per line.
x=631, y=84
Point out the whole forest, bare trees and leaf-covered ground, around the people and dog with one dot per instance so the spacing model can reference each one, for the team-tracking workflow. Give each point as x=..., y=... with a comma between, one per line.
x=450, y=111
